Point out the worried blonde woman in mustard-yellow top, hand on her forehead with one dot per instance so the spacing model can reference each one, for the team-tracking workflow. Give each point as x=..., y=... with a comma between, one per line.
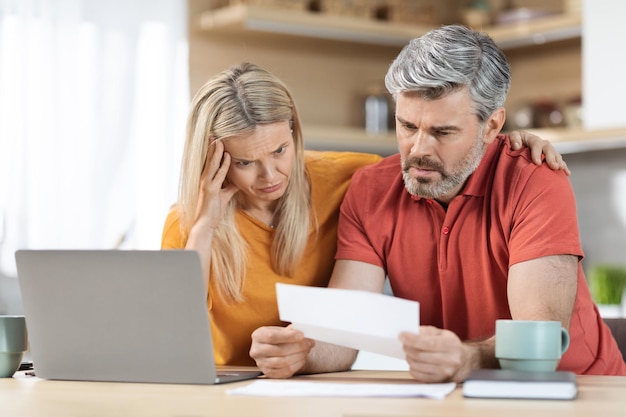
x=255, y=205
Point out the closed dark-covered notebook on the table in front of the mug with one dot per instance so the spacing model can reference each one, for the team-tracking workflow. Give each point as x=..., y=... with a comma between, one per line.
x=501, y=383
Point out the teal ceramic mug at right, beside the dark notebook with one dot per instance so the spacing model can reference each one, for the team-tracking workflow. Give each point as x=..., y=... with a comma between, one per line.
x=530, y=345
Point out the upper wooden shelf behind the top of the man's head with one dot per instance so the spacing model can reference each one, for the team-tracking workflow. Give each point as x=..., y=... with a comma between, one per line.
x=257, y=19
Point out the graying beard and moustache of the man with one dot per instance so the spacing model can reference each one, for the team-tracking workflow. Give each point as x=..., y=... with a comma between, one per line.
x=438, y=188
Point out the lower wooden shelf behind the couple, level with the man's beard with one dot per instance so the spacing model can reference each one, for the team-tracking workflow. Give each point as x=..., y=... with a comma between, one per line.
x=565, y=140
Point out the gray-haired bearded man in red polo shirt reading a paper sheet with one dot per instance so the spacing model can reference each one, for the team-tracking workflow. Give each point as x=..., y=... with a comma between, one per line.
x=458, y=221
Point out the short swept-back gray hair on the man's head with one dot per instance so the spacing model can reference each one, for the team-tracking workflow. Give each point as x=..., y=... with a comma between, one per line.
x=449, y=59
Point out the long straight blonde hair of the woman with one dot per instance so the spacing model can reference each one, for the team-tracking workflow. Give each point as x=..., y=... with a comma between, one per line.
x=233, y=103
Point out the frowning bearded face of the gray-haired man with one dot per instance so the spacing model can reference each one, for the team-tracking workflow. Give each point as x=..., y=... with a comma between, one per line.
x=440, y=142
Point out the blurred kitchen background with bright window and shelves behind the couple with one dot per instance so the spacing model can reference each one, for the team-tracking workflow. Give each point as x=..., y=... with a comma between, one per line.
x=94, y=95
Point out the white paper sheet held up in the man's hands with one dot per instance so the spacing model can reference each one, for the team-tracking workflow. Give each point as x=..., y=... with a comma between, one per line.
x=357, y=319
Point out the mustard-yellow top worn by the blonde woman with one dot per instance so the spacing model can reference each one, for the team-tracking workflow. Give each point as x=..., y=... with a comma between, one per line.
x=232, y=324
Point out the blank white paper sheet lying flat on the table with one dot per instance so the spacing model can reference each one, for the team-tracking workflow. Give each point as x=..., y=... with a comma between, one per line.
x=275, y=388
